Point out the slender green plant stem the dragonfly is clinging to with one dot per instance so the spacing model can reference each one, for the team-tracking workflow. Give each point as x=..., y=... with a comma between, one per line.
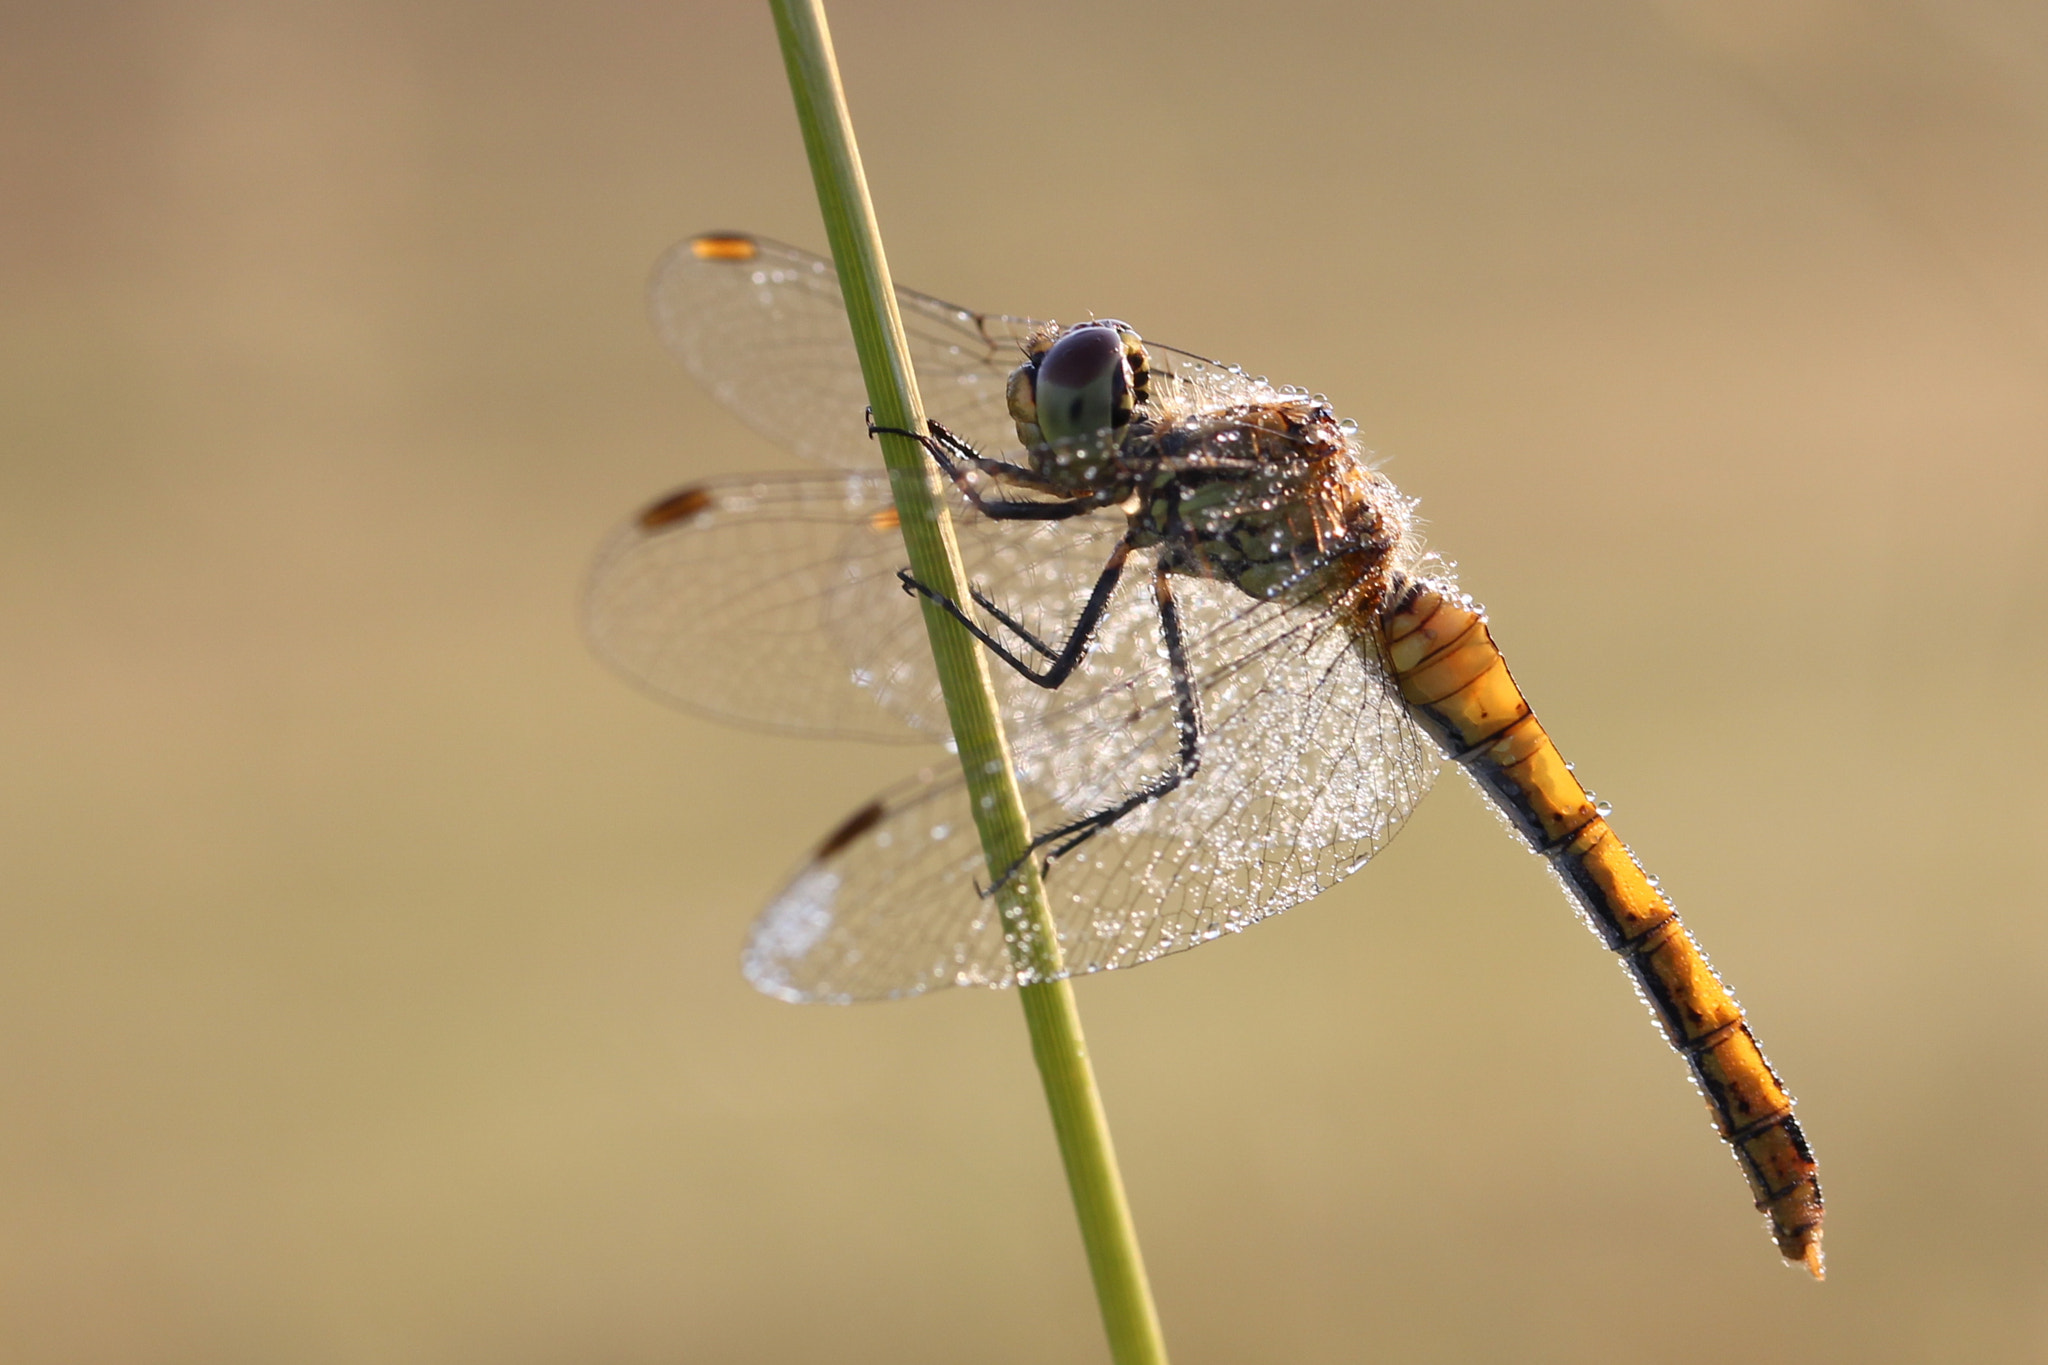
x=1050, y=1008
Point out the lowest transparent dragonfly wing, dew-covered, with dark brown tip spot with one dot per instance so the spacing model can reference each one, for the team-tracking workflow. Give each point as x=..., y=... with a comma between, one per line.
x=1310, y=766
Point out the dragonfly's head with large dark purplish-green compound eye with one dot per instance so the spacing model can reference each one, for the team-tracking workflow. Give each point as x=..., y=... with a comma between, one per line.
x=1078, y=384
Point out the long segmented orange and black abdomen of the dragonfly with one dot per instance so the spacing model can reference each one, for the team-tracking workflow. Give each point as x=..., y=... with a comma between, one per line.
x=1459, y=689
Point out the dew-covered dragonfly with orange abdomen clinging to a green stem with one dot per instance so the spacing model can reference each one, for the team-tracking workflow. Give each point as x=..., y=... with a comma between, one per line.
x=1228, y=664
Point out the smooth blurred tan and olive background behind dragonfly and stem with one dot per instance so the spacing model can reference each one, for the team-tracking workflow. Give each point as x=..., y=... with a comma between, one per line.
x=370, y=985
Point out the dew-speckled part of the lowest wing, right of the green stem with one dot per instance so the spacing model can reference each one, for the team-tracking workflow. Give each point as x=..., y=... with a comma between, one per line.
x=1310, y=764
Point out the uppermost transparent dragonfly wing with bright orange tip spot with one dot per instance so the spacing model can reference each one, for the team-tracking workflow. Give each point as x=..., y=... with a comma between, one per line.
x=763, y=326
